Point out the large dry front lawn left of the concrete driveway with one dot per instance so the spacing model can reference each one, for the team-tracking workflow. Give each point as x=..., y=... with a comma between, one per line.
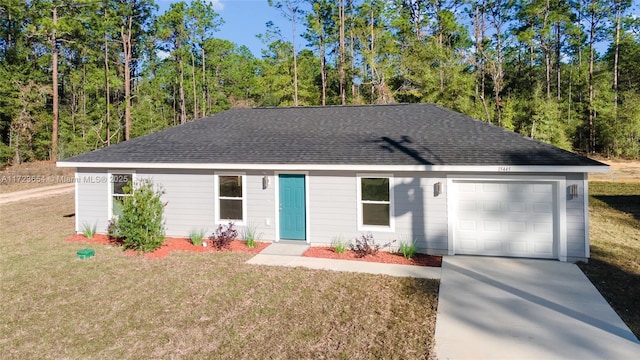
x=190, y=305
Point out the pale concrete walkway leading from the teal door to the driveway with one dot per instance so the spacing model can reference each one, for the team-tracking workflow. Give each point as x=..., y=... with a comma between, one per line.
x=287, y=254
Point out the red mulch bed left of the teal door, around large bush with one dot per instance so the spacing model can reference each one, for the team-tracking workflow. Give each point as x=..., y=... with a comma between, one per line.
x=171, y=244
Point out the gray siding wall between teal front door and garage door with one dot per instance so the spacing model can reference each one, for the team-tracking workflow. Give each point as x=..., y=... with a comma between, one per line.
x=419, y=215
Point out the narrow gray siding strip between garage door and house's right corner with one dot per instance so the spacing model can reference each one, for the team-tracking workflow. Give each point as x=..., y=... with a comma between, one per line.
x=575, y=218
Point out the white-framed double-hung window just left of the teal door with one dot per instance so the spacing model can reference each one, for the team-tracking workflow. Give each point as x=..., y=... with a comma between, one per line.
x=231, y=197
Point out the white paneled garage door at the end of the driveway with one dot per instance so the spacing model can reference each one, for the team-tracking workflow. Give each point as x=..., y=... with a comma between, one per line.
x=505, y=219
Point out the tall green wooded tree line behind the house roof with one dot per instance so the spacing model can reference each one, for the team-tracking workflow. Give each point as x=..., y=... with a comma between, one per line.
x=84, y=74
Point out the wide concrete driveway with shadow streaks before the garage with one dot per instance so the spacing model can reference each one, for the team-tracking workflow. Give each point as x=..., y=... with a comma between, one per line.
x=497, y=308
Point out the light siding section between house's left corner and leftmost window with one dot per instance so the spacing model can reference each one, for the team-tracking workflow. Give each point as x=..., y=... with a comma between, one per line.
x=92, y=199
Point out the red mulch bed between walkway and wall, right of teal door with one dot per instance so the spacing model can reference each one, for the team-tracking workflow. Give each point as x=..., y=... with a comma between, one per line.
x=381, y=257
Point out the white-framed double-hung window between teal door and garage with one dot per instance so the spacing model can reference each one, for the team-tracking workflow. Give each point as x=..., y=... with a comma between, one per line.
x=375, y=202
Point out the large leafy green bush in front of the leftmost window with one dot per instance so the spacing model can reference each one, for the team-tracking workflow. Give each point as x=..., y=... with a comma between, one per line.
x=141, y=226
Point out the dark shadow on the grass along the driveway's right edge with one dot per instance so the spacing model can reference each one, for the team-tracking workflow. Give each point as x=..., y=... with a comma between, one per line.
x=620, y=288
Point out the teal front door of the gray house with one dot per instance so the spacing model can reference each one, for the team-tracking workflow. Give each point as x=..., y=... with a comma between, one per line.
x=292, y=207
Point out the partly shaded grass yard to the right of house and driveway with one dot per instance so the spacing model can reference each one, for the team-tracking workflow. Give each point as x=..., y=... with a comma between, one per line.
x=614, y=267
